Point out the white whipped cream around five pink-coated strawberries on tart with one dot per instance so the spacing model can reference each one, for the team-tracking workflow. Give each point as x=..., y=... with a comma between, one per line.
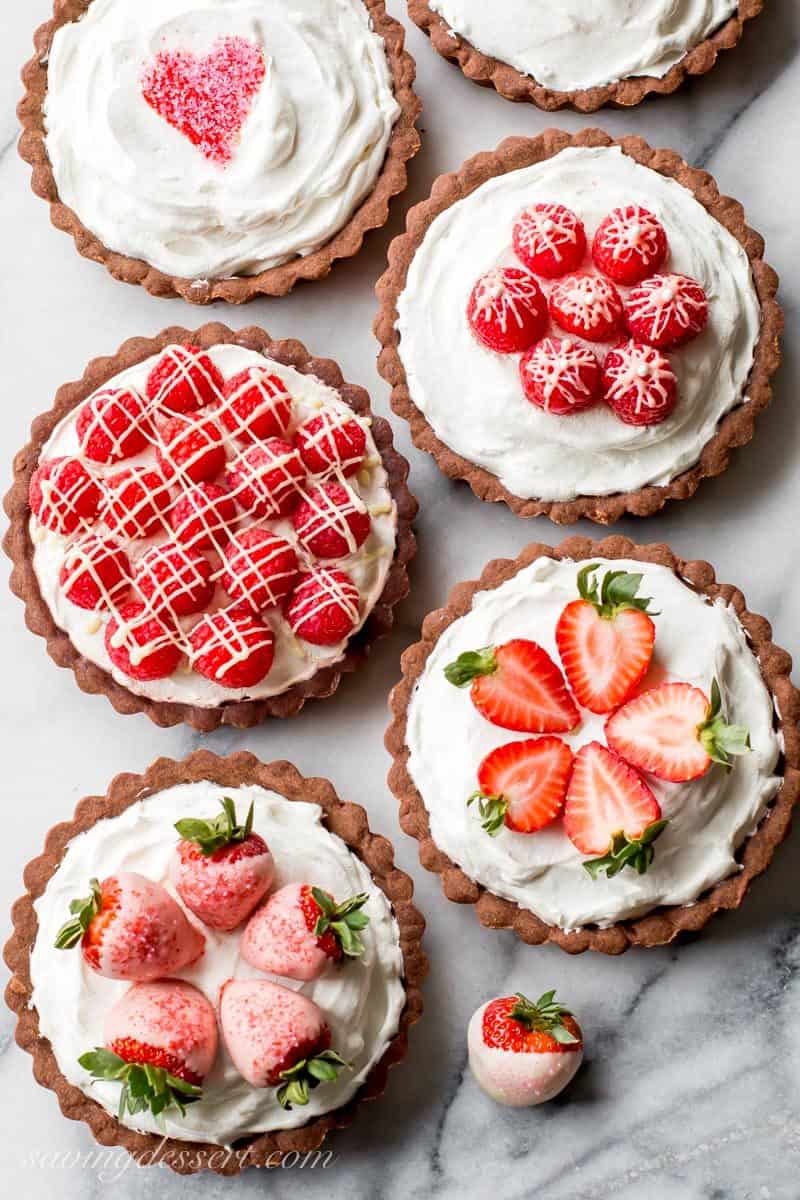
x=363, y=1001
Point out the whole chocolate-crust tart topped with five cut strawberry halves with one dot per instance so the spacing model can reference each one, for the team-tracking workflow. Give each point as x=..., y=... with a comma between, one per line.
x=597, y=746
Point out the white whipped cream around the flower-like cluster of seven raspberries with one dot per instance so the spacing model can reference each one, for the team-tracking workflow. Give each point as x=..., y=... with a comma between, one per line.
x=473, y=398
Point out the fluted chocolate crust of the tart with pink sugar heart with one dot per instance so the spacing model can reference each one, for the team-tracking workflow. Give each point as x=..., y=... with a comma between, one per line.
x=276, y=281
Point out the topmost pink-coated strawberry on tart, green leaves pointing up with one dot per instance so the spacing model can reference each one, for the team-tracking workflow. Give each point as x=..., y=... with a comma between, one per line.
x=221, y=869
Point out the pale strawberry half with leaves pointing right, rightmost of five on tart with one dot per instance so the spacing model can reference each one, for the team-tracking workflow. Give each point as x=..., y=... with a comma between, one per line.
x=675, y=733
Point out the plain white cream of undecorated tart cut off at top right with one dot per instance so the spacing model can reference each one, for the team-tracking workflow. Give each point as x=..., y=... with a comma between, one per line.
x=567, y=45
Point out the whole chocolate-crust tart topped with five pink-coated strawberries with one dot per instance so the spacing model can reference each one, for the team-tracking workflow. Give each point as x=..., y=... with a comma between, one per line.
x=215, y=963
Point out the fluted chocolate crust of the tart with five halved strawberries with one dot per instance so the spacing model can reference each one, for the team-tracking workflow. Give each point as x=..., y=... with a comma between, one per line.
x=663, y=925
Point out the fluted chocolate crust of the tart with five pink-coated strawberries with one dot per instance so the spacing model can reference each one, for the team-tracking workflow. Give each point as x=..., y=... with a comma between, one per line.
x=350, y=823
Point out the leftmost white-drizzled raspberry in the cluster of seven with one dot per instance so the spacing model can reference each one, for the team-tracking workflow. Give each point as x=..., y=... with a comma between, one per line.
x=507, y=310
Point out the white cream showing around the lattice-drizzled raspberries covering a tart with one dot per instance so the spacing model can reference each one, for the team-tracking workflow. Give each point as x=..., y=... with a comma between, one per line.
x=294, y=659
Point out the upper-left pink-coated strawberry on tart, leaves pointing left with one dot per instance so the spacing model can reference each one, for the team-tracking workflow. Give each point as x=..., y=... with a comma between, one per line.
x=130, y=928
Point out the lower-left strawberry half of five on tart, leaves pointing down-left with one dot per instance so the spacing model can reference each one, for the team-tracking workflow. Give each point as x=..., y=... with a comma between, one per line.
x=524, y=785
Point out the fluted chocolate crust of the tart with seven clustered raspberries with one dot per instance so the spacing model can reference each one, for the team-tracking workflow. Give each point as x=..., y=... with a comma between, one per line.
x=735, y=430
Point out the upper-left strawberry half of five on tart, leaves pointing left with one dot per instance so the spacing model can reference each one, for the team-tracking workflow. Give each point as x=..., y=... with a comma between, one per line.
x=518, y=687
